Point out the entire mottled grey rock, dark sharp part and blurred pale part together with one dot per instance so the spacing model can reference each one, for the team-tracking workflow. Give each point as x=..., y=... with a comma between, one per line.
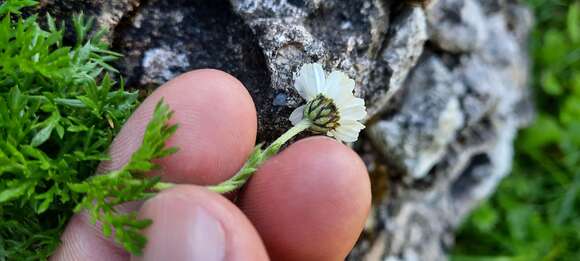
x=445, y=85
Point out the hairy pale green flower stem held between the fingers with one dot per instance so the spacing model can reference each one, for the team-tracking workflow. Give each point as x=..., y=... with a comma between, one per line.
x=252, y=164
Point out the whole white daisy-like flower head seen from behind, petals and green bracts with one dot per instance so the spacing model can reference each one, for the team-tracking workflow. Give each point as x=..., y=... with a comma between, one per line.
x=331, y=107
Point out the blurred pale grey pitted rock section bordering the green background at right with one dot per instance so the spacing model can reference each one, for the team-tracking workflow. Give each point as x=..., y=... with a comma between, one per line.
x=444, y=161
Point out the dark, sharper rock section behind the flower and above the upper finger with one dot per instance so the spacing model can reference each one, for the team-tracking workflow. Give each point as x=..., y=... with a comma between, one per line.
x=265, y=42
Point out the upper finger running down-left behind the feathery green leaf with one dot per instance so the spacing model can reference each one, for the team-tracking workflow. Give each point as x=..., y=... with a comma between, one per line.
x=215, y=115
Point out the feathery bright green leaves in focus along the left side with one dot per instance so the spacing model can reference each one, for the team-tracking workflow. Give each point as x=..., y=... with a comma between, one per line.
x=59, y=111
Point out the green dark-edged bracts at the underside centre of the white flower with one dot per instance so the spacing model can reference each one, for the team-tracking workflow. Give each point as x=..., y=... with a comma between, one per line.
x=323, y=114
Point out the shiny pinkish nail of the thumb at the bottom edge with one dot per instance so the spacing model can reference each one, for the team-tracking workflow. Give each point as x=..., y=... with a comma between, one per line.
x=189, y=234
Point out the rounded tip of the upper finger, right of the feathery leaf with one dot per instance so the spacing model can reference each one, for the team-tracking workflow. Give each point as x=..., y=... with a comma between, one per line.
x=218, y=116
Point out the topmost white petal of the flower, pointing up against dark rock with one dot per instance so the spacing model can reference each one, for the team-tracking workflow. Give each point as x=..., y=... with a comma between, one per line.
x=310, y=81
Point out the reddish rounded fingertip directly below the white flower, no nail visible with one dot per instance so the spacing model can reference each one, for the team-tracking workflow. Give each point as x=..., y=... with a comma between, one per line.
x=310, y=202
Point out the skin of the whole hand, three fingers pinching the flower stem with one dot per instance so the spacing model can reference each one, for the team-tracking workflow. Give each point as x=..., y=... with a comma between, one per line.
x=309, y=202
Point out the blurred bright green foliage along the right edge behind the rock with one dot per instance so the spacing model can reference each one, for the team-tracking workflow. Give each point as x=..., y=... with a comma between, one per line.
x=535, y=214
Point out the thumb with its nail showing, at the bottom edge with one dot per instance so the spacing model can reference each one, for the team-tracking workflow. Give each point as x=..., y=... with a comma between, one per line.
x=191, y=223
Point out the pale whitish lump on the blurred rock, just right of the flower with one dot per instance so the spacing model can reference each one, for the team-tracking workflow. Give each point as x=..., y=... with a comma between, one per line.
x=417, y=136
